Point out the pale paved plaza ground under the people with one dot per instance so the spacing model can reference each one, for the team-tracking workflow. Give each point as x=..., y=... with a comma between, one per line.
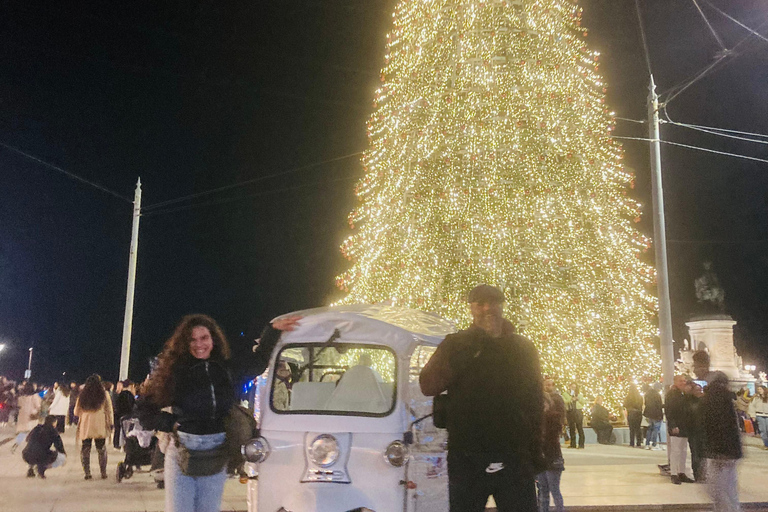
x=597, y=478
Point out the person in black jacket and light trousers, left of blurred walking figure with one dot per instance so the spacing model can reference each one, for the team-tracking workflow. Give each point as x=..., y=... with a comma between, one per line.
x=678, y=421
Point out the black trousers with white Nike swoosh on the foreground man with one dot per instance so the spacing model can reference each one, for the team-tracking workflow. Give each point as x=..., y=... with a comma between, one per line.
x=470, y=484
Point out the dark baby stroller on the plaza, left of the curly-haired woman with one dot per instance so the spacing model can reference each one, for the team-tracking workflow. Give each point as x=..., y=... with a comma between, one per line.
x=141, y=449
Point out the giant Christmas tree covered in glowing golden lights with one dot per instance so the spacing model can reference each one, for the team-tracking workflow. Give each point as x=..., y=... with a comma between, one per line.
x=491, y=160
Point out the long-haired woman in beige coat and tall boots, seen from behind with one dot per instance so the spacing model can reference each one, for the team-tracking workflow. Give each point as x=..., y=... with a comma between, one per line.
x=94, y=410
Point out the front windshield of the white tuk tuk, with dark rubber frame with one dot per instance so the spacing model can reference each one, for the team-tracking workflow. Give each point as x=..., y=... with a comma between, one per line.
x=340, y=378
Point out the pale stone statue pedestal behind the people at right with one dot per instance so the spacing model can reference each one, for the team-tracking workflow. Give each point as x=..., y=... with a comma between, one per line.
x=715, y=334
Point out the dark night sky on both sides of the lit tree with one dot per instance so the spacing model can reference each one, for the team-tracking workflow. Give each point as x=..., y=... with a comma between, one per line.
x=191, y=96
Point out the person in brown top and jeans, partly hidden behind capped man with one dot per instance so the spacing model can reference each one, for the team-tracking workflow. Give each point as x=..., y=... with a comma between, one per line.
x=548, y=481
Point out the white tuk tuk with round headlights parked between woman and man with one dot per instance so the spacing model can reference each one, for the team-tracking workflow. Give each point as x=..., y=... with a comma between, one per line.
x=343, y=423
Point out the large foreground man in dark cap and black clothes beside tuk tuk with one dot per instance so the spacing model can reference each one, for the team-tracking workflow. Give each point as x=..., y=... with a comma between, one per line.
x=494, y=420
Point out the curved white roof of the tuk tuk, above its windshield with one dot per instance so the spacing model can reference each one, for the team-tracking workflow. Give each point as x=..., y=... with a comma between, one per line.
x=392, y=326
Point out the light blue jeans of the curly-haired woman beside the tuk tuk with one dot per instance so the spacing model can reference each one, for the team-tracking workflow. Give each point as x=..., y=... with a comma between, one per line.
x=192, y=493
